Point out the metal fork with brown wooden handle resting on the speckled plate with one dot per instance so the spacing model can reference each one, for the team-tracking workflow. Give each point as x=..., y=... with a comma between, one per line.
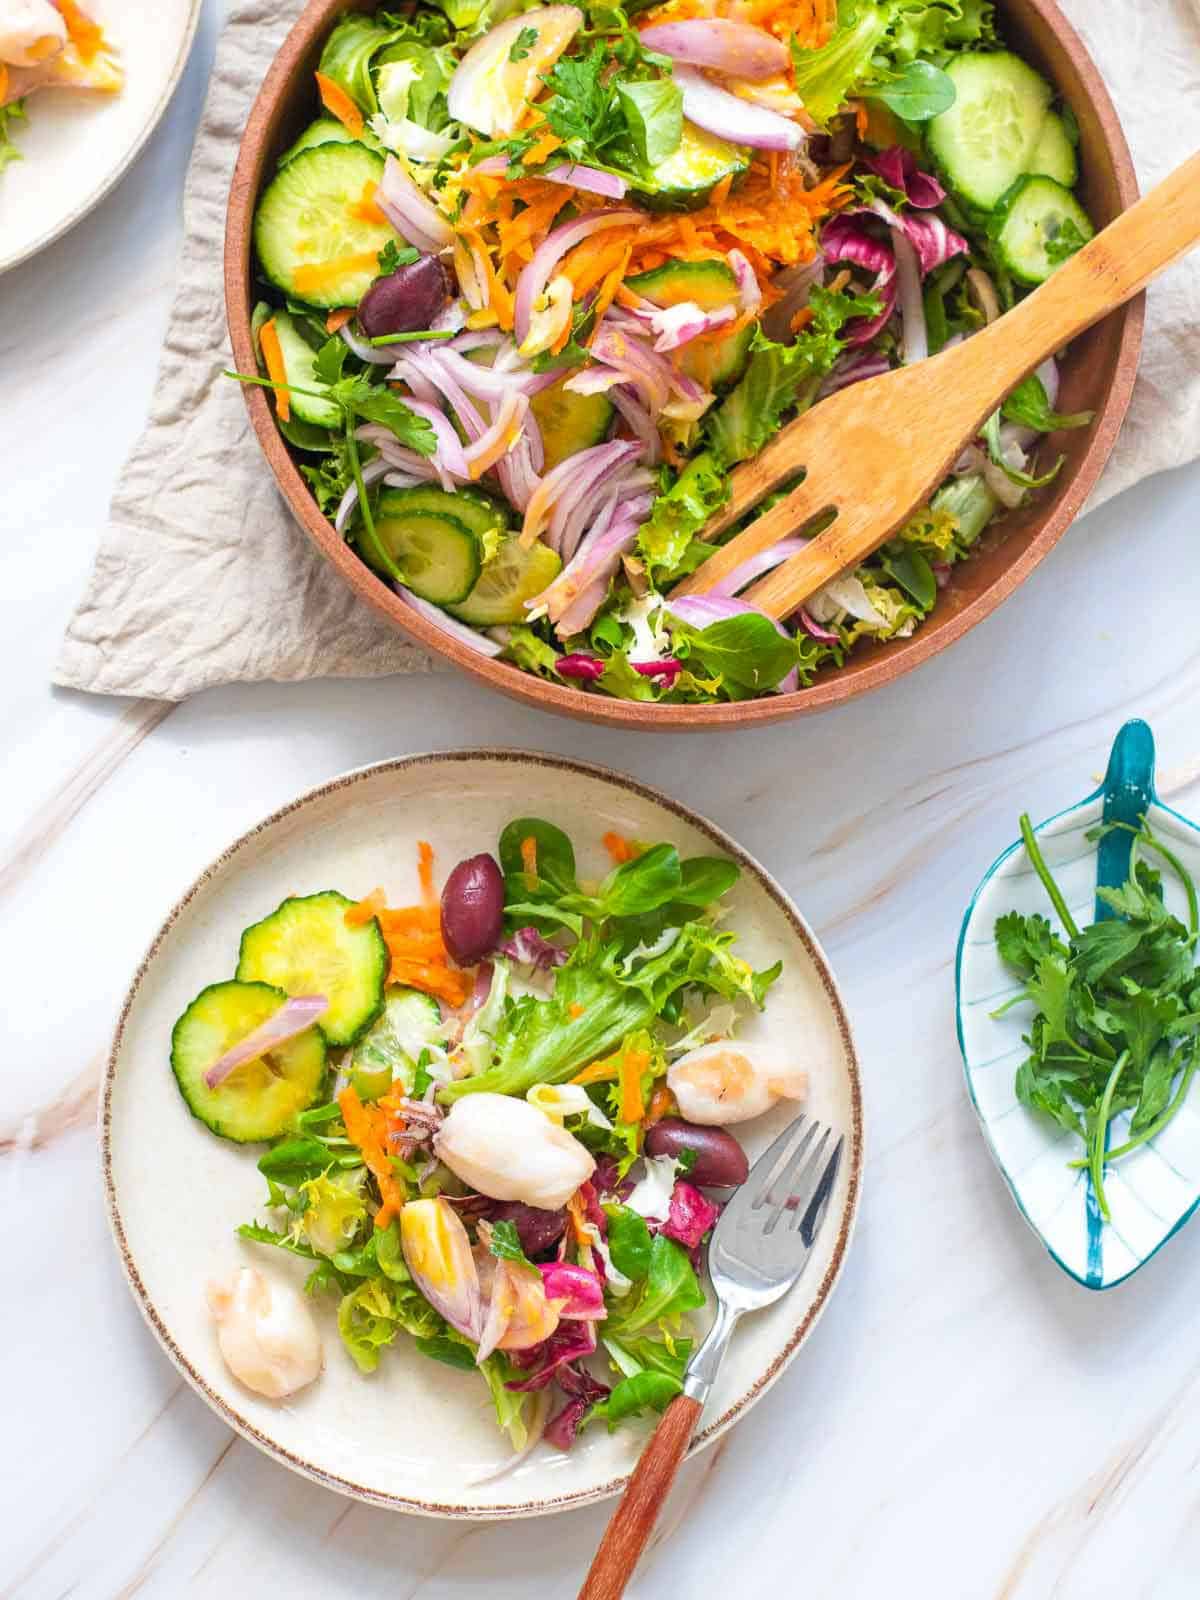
x=759, y=1249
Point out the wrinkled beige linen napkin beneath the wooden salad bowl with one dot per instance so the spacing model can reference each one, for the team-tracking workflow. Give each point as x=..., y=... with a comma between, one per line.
x=202, y=577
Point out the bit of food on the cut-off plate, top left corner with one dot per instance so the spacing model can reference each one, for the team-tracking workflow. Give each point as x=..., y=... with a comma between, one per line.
x=44, y=46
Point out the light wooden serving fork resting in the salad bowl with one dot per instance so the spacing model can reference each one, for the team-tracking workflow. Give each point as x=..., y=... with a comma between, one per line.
x=878, y=450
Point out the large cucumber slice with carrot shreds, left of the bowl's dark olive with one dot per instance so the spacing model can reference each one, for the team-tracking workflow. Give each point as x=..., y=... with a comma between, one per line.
x=310, y=239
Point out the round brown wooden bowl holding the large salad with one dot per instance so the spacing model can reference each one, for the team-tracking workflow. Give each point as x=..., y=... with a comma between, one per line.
x=1098, y=375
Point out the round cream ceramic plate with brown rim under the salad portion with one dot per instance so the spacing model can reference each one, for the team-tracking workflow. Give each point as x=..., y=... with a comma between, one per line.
x=418, y=1436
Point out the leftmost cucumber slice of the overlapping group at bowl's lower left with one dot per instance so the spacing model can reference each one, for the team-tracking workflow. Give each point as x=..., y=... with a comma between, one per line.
x=433, y=553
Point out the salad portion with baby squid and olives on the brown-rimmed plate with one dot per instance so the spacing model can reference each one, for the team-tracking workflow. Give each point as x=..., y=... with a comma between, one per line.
x=497, y=1122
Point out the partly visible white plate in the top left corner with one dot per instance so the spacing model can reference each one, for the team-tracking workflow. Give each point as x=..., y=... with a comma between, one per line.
x=78, y=146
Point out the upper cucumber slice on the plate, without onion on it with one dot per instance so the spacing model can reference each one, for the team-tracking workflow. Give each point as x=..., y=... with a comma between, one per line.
x=306, y=948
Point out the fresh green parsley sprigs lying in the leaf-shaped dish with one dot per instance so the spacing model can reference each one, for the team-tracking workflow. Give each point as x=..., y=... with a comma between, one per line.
x=1118, y=1006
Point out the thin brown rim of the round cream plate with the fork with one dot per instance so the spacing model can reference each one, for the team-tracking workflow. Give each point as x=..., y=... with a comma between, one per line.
x=847, y=1222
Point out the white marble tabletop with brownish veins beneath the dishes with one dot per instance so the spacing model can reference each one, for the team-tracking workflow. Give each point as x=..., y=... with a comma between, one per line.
x=966, y=1423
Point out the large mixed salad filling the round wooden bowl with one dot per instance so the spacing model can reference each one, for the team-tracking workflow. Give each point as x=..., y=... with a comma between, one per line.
x=538, y=279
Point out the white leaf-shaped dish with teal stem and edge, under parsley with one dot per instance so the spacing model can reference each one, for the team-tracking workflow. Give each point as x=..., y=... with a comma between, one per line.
x=1154, y=1191
